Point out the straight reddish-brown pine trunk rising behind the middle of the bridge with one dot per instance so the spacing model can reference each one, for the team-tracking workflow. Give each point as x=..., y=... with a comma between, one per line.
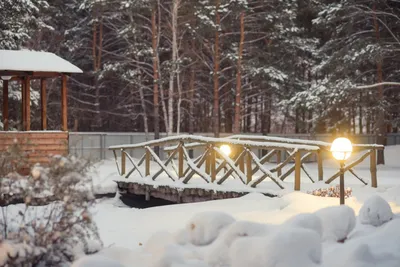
x=216, y=71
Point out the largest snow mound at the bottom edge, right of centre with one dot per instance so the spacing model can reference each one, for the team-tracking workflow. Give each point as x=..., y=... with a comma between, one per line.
x=285, y=248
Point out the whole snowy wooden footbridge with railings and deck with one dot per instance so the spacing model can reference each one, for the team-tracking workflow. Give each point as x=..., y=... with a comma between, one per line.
x=253, y=161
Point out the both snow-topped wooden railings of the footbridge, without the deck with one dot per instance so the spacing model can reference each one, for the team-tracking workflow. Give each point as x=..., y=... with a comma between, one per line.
x=213, y=166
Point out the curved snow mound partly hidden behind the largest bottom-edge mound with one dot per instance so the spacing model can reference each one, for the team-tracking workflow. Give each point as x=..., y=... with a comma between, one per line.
x=217, y=254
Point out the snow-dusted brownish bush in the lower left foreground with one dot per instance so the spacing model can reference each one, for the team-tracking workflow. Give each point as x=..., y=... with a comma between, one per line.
x=53, y=226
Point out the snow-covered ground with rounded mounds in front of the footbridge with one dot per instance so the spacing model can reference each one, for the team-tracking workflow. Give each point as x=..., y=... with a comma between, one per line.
x=296, y=229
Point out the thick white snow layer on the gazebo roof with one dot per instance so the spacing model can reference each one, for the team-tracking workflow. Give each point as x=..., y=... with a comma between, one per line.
x=34, y=61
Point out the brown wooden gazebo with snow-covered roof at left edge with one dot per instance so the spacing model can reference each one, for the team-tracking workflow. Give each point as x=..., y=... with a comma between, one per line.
x=22, y=67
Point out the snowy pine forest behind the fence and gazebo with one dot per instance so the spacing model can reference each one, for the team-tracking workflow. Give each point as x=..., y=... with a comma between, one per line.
x=265, y=66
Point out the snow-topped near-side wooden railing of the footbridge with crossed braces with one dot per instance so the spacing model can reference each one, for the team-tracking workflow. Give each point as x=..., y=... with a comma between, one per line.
x=213, y=166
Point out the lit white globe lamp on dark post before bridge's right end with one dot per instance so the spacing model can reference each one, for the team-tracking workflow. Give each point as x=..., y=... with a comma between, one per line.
x=341, y=149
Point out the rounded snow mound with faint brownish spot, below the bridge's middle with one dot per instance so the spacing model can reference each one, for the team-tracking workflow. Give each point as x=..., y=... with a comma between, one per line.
x=203, y=228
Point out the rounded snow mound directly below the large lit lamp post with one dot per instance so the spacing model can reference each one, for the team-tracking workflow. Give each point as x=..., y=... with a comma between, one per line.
x=337, y=222
